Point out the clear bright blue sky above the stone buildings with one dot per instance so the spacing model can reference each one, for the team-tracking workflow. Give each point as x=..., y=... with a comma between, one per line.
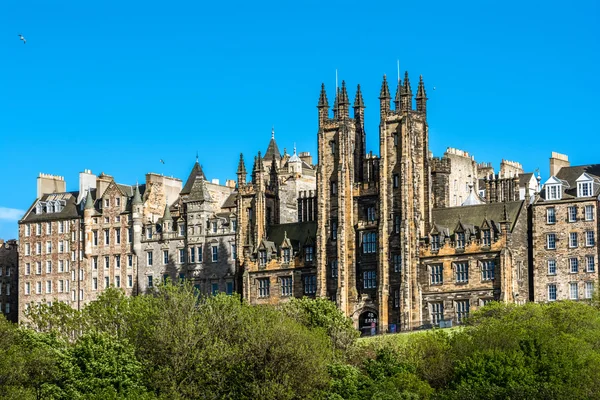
x=115, y=86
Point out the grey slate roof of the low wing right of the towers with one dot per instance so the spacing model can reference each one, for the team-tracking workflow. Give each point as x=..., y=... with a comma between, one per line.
x=473, y=216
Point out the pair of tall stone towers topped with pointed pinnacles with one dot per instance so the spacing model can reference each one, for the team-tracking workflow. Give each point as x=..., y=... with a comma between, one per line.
x=373, y=210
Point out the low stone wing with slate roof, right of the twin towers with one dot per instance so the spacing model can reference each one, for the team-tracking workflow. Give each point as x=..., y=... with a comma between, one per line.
x=473, y=255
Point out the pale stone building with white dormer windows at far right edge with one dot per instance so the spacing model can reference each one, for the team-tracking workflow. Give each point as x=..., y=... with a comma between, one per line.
x=565, y=231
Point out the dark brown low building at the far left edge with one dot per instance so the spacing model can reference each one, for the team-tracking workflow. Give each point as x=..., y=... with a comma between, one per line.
x=9, y=288
